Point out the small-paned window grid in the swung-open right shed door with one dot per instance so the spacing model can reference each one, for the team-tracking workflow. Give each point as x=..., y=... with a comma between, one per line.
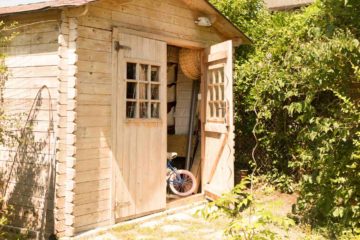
x=216, y=94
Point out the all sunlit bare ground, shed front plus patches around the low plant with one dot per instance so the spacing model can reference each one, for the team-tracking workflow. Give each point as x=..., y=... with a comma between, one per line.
x=186, y=224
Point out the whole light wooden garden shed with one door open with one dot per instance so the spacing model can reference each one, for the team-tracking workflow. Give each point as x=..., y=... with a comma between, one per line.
x=102, y=90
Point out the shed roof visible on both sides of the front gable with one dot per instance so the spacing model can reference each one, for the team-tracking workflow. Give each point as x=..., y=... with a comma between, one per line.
x=222, y=24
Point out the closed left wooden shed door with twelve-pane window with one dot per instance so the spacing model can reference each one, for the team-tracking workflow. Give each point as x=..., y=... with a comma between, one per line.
x=140, y=140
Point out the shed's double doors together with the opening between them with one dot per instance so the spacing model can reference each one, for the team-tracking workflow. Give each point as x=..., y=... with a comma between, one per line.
x=158, y=109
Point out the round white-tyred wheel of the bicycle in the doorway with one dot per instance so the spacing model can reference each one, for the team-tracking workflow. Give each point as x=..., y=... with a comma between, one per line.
x=182, y=183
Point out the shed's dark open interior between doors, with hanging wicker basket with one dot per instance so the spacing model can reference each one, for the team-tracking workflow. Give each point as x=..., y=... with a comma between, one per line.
x=183, y=114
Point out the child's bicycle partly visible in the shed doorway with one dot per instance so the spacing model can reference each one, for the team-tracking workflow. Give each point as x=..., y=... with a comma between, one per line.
x=180, y=181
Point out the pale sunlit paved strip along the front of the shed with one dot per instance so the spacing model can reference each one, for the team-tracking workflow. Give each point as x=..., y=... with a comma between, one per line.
x=183, y=225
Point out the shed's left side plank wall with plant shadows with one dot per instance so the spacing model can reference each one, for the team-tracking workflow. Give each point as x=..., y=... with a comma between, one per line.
x=32, y=60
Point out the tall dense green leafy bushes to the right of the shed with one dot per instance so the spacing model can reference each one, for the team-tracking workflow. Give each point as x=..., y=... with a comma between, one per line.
x=302, y=77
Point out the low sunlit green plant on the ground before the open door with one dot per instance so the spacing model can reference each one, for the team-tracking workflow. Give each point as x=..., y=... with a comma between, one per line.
x=249, y=220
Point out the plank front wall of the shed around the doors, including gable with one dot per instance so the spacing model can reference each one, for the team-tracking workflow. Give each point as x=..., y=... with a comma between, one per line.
x=153, y=18
